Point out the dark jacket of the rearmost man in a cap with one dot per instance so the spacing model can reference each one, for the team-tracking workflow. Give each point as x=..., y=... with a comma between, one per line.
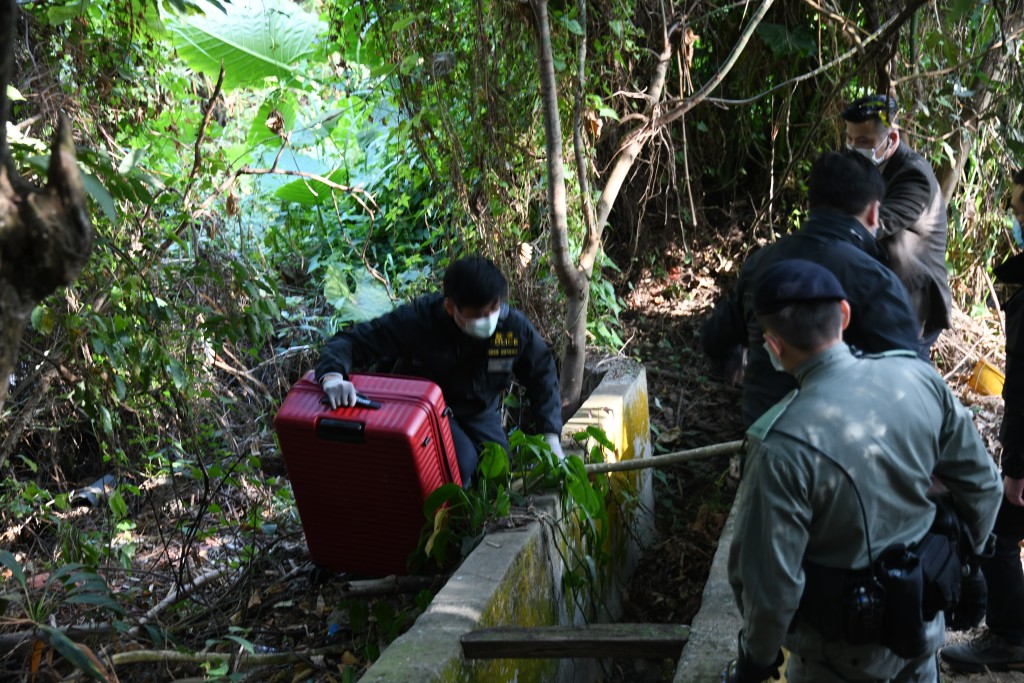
x=913, y=235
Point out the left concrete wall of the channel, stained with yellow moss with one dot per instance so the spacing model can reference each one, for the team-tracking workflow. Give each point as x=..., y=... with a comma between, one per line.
x=515, y=578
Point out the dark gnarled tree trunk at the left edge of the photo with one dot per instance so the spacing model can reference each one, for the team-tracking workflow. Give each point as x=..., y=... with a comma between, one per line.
x=46, y=234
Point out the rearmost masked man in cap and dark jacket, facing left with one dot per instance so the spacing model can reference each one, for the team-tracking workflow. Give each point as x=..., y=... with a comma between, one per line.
x=913, y=223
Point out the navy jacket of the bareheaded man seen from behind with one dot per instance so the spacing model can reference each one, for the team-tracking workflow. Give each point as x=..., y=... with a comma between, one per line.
x=881, y=315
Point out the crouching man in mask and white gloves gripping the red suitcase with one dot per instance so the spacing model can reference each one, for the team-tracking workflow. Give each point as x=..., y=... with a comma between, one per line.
x=470, y=343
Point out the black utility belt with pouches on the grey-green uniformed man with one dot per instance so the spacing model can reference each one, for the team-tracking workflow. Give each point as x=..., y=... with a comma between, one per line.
x=888, y=604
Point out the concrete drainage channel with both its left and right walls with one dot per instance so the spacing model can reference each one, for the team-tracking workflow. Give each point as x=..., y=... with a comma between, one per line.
x=515, y=579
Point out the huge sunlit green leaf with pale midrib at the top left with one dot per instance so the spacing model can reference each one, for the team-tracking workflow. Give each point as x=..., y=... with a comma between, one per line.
x=255, y=39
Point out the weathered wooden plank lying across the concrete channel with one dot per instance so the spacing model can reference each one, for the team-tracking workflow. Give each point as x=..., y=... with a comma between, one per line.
x=653, y=642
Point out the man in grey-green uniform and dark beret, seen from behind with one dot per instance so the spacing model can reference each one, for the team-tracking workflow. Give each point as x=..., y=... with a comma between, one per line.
x=837, y=478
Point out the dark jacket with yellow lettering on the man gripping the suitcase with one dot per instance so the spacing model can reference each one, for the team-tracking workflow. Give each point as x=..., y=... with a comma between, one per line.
x=473, y=373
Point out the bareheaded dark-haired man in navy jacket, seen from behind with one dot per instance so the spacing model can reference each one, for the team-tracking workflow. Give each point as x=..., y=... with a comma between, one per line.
x=844, y=192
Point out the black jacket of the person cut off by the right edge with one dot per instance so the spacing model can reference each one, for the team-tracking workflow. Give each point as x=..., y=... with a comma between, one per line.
x=1012, y=433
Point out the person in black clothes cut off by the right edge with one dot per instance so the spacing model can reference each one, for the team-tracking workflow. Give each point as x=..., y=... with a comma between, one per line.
x=1001, y=648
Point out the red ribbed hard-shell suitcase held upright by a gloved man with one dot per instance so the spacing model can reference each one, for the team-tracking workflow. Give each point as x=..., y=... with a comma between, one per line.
x=361, y=476
